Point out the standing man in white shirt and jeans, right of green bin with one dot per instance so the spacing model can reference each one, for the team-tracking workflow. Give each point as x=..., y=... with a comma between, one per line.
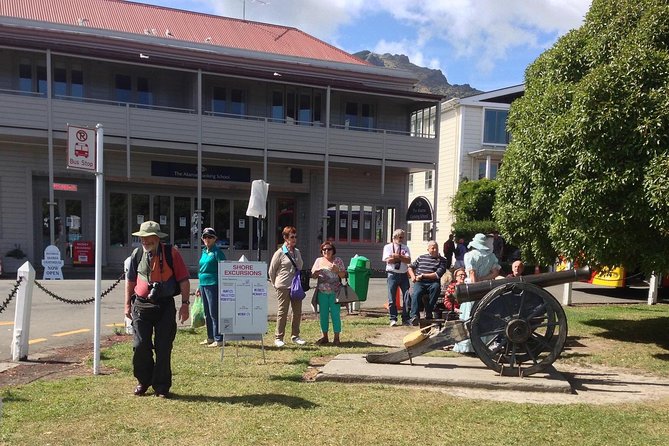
x=396, y=256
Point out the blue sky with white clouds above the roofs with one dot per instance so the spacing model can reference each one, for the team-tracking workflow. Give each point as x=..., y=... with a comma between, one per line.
x=484, y=43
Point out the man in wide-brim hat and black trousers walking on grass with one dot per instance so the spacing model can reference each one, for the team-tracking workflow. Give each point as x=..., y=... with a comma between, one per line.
x=156, y=274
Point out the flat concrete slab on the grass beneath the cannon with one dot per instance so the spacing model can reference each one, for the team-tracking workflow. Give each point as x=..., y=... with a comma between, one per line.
x=462, y=372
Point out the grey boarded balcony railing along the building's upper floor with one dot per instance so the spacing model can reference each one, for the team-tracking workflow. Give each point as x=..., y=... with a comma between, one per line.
x=220, y=132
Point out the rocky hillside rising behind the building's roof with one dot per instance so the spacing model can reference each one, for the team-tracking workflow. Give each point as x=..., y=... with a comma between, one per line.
x=429, y=80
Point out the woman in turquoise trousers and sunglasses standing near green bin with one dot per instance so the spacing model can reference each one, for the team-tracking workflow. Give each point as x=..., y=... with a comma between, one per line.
x=329, y=270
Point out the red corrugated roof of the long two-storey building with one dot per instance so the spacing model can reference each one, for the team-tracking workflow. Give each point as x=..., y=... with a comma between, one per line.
x=138, y=18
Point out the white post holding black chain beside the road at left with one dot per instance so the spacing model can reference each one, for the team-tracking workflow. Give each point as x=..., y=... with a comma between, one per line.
x=24, y=298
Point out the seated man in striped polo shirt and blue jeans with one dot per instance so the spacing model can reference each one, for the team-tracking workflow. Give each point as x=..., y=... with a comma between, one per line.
x=425, y=273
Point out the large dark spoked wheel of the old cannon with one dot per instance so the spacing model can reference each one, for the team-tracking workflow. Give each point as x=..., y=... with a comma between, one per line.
x=518, y=329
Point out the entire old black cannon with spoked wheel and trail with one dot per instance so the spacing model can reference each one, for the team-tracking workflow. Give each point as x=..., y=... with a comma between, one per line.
x=516, y=327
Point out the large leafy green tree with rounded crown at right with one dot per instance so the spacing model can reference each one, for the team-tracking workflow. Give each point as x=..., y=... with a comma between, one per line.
x=587, y=172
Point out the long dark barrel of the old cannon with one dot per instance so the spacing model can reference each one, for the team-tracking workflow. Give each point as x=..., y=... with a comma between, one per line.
x=468, y=292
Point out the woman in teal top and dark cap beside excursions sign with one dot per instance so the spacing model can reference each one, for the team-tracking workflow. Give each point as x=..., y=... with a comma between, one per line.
x=208, y=289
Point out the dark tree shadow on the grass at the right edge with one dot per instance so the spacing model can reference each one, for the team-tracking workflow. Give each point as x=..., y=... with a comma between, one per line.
x=647, y=331
